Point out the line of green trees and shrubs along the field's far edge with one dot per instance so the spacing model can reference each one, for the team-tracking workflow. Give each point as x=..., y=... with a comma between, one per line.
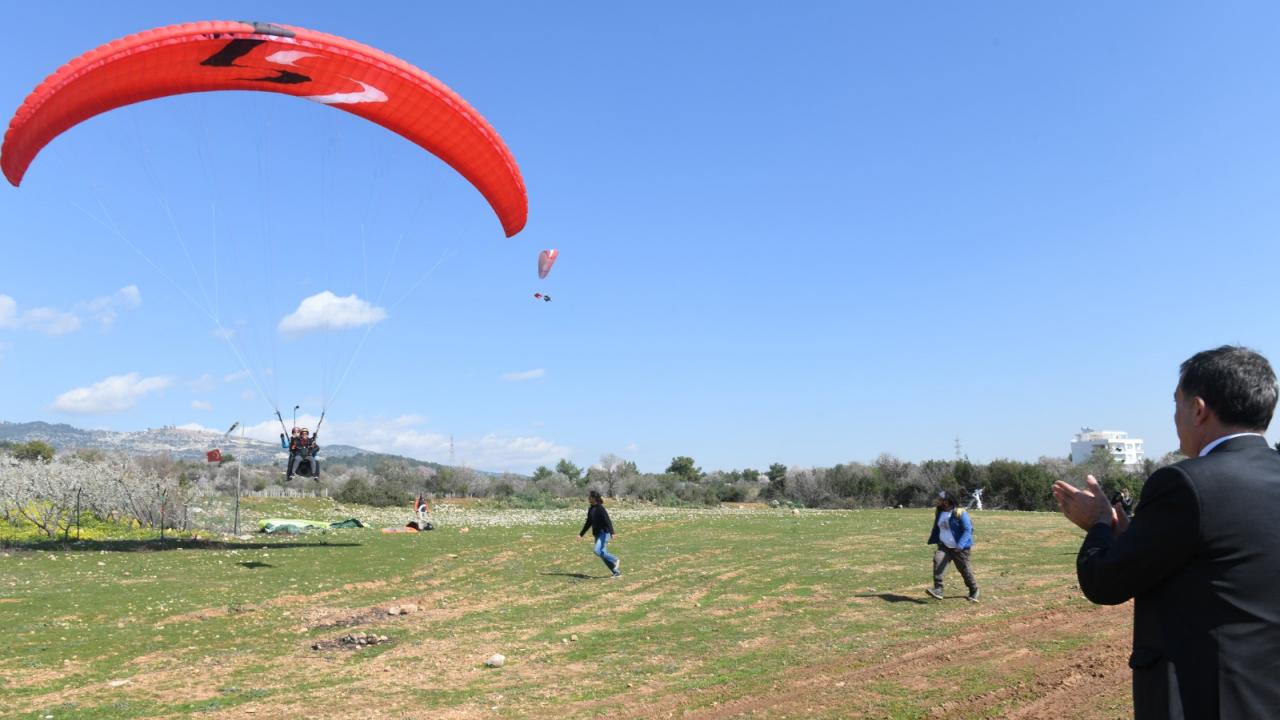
x=886, y=482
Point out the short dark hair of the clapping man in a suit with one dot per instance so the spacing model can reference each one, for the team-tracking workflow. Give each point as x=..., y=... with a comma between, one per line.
x=1236, y=384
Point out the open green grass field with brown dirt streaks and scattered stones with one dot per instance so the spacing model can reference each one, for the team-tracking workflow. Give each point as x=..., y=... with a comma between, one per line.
x=734, y=613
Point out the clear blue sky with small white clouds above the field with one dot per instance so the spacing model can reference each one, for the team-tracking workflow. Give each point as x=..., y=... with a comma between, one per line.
x=806, y=234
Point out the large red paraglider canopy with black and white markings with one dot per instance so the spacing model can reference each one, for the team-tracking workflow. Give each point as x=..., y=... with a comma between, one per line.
x=244, y=56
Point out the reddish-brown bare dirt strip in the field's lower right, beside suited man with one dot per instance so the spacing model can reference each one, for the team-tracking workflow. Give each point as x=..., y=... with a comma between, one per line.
x=1039, y=685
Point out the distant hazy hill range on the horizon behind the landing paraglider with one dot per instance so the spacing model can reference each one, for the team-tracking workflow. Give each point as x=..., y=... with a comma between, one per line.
x=180, y=444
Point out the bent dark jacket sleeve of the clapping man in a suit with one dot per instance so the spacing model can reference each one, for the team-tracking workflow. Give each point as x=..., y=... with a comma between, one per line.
x=1162, y=539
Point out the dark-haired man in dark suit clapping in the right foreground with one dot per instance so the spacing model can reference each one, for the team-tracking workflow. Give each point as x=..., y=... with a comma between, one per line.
x=1201, y=557
